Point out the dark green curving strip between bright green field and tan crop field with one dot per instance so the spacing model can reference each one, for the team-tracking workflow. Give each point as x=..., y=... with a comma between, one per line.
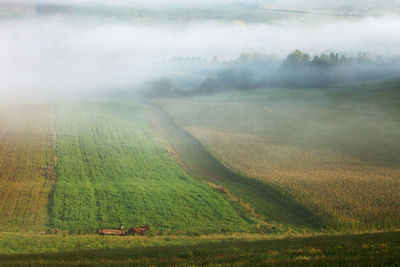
x=193, y=156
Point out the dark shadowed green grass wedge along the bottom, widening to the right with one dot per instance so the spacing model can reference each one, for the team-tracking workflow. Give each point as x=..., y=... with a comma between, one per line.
x=379, y=249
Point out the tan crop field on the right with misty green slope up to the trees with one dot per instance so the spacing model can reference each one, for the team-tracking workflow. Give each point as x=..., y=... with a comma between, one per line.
x=336, y=151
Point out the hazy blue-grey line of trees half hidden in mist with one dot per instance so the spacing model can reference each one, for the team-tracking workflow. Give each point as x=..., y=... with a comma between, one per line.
x=256, y=70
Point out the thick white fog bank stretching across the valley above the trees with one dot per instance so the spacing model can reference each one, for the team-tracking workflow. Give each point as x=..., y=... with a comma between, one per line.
x=48, y=57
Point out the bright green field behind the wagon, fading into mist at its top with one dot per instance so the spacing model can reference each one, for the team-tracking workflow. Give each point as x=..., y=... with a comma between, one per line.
x=111, y=169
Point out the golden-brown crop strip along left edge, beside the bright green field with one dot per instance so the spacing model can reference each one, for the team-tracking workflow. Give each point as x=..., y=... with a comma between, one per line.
x=27, y=158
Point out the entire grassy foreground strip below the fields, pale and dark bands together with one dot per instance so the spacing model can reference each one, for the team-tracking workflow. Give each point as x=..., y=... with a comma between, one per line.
x=378, y=249
